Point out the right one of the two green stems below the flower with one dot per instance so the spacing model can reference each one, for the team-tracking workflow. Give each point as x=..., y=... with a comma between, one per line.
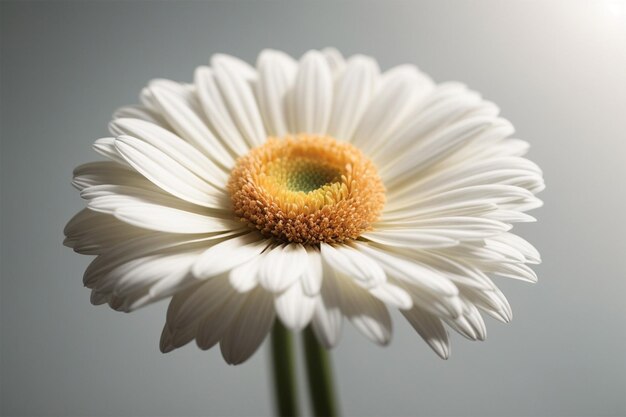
x=320, y=375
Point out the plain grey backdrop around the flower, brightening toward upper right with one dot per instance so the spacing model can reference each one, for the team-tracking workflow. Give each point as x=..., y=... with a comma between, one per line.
x=558, y=71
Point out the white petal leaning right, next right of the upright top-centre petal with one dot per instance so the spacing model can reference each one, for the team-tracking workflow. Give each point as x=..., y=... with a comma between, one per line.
x=353, y=91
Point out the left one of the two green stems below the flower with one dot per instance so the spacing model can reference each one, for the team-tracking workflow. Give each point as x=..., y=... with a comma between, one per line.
x=284, y=371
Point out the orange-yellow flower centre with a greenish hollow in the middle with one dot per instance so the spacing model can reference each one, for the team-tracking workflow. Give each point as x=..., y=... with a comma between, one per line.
x=307, y=189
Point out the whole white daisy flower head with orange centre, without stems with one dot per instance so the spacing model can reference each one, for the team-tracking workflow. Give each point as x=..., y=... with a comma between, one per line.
x=312, y=190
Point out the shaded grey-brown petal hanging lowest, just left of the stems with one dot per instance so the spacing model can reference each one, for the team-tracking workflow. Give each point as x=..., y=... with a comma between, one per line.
x=249, y=328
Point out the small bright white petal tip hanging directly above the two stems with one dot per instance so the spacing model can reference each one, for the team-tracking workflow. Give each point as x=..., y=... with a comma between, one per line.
x=294, y=307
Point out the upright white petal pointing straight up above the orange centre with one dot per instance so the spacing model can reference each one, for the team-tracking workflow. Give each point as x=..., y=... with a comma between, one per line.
x=312, y=94
